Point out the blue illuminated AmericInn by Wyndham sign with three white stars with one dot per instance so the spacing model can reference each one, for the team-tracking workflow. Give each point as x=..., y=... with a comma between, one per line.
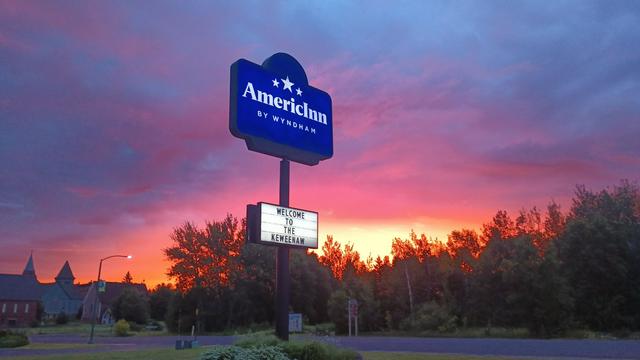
x=275, y=110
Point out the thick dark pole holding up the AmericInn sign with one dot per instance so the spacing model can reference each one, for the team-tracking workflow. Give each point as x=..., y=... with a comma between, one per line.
x=282, y=264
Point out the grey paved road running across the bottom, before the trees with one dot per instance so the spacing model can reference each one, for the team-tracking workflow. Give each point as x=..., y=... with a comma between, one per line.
x=558, y=349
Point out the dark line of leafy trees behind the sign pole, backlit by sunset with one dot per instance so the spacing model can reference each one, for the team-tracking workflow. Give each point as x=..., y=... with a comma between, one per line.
x=548, y=271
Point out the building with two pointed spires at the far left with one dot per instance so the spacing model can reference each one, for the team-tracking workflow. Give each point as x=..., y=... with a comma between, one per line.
x=21, y=294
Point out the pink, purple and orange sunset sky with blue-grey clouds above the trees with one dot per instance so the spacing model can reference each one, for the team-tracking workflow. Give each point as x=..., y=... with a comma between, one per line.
x=114, y=118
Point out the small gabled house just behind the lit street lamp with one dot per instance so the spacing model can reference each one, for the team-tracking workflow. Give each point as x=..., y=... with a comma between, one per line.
x=106, y=299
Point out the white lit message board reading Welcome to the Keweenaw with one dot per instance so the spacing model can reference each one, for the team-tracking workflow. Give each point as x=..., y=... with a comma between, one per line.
x=271, y=224
